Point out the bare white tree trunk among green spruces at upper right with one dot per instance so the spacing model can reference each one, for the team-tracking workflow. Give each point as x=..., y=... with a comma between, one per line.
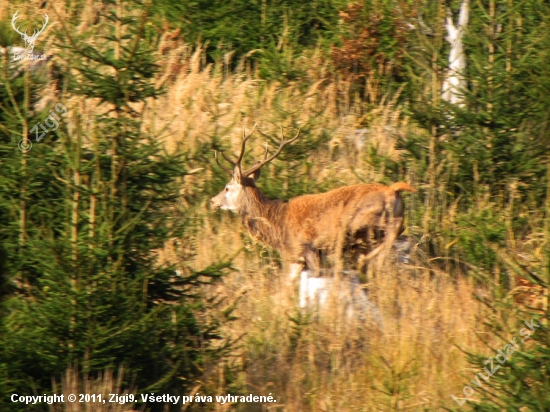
x=454, y=83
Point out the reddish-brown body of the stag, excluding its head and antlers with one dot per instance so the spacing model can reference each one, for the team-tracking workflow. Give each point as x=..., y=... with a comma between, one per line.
x=328, y=222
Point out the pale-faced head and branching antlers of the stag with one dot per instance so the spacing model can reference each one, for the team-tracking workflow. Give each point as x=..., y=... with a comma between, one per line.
x=230, y=197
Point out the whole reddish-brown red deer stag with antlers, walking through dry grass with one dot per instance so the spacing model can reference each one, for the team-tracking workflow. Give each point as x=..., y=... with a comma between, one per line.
x=306, y=225
